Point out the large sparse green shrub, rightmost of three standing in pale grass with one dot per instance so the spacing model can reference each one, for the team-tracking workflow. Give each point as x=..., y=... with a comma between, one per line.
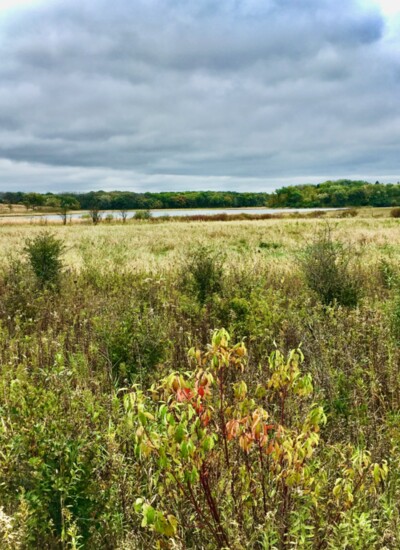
x=326, y=267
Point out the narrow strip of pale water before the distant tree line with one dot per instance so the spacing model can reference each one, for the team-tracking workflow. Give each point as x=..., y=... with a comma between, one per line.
x=179, y=212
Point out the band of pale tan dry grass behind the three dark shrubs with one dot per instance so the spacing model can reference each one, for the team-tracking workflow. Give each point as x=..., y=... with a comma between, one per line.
x=153, y=246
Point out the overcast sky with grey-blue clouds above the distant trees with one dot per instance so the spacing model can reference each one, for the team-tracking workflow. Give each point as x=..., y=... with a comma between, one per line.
x=153, y=95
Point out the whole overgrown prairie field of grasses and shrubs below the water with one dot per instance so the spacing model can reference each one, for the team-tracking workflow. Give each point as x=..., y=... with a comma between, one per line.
x=279, y=429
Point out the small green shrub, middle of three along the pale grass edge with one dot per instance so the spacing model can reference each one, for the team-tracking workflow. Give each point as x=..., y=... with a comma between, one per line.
x=203, y=272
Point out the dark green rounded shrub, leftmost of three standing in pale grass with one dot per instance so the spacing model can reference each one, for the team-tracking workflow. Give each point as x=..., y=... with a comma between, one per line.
x=44, y=255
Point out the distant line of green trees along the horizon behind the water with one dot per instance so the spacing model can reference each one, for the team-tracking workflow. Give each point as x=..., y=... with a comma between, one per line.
x=334, y=194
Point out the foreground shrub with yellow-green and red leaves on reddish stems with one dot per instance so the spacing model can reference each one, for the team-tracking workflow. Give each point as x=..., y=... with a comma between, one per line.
x=242, y=464
